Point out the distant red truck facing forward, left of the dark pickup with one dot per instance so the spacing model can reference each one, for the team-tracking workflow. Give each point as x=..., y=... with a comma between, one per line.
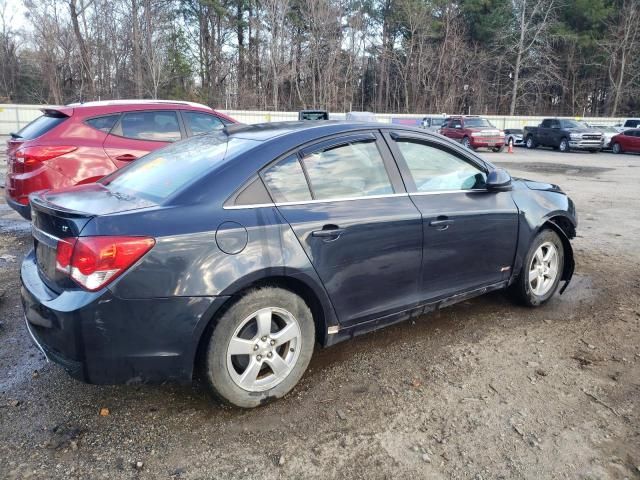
x=473, y=132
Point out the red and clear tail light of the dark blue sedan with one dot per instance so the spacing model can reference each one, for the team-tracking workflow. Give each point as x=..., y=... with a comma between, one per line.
x=94, y=262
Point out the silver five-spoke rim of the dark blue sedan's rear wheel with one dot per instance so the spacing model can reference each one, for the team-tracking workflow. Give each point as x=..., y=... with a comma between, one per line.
x=264, y=349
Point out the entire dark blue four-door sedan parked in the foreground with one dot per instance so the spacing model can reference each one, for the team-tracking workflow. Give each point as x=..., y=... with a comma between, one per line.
x=235, y=252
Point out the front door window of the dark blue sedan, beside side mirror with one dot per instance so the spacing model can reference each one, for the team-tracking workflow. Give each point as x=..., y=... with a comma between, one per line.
x=436, y=170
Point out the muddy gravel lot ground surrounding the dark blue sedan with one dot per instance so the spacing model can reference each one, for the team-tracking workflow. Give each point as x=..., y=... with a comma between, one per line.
x=482, y=390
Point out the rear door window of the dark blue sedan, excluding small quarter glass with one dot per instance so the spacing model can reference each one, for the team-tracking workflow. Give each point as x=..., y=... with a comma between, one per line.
x=346, y=171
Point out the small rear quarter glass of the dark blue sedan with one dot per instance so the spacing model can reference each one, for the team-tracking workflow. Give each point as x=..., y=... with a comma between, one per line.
x=286, y=182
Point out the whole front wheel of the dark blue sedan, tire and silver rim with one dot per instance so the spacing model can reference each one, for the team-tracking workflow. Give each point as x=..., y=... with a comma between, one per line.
x=541, y=271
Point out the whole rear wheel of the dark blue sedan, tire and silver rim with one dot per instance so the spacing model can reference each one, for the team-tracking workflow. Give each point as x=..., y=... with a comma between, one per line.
x=260, y=347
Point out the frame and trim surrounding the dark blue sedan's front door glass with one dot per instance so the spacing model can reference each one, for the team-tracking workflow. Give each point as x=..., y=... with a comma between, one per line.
x=412, y=188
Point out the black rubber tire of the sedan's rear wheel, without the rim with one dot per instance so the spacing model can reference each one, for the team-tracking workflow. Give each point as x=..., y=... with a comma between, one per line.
x=216, y=370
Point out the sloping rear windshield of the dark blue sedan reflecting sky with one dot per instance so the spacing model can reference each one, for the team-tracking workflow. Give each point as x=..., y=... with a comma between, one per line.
x=162, y=173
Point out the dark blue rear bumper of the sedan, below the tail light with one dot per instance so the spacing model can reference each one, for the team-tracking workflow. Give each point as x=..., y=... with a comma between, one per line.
x=103, y=339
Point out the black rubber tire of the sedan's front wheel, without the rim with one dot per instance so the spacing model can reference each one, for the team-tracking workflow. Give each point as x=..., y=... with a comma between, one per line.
x=521, y=288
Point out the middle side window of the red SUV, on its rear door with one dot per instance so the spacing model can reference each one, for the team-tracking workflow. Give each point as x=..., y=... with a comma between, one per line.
x=161, y=126
